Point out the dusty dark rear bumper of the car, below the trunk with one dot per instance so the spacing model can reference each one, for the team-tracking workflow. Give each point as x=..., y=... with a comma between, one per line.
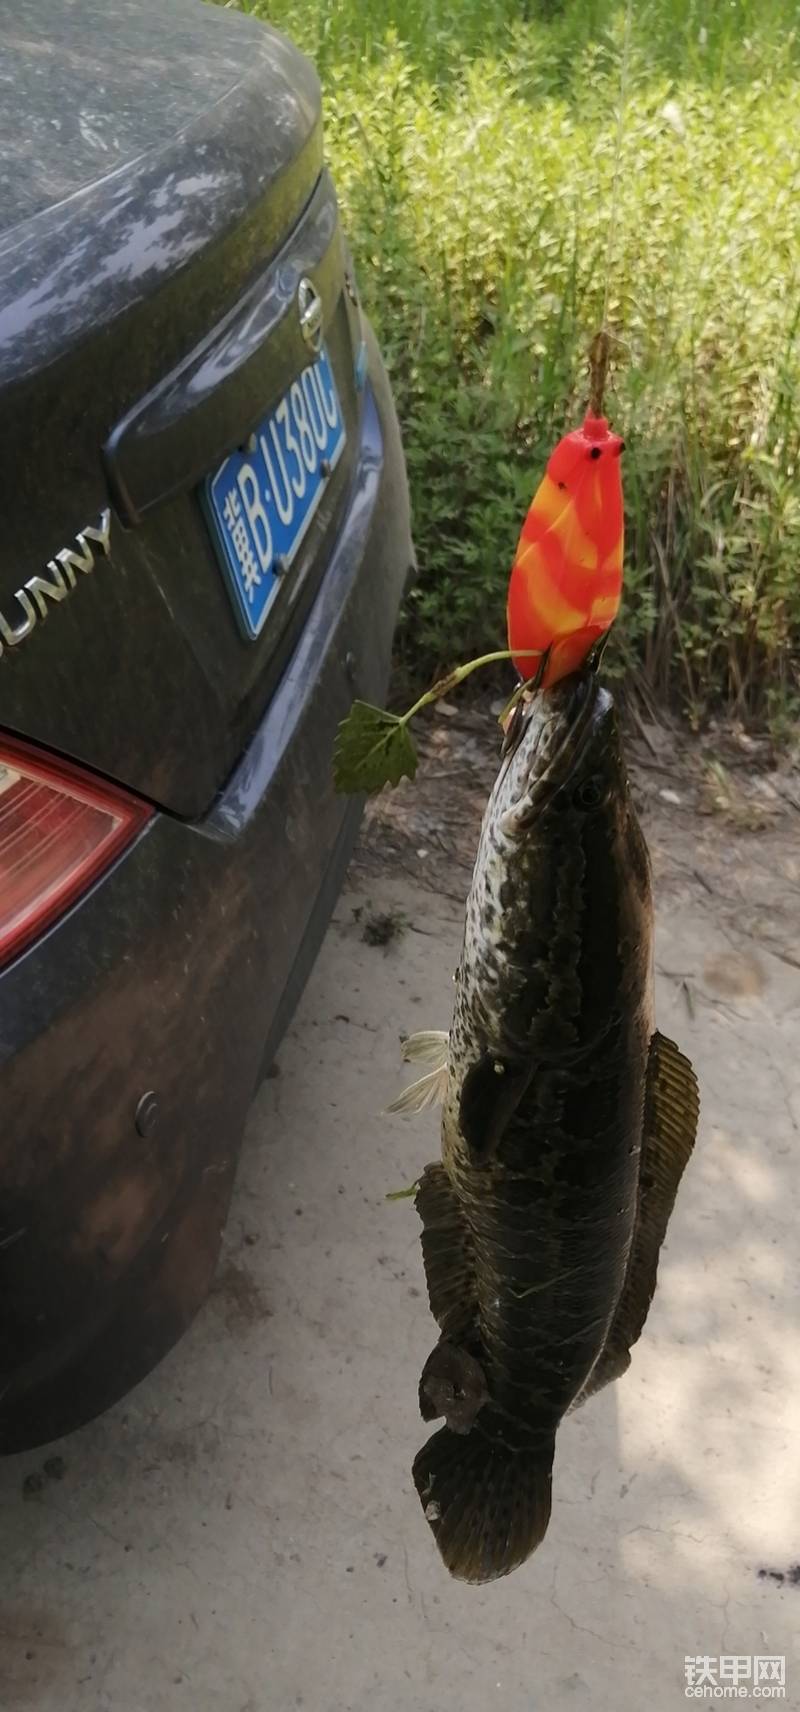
x=176, y=975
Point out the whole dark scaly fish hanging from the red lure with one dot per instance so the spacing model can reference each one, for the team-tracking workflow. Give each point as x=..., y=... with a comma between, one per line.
x=568, y=1122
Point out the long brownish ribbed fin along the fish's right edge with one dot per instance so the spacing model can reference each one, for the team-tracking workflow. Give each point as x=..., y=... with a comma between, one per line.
x=671, y=1124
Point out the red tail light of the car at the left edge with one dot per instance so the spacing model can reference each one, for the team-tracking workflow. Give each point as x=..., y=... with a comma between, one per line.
x=59, y=831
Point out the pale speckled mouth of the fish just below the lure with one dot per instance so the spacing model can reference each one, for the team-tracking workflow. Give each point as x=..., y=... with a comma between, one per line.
x=551, y=744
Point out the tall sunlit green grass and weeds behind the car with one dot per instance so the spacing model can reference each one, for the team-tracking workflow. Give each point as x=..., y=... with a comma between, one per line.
x=474, y=146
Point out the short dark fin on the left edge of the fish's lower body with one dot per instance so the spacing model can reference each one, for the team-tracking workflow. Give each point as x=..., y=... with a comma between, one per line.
x=446, y=1254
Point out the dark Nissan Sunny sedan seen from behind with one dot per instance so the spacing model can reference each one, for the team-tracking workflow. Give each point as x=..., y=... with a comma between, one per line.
x=206, y=542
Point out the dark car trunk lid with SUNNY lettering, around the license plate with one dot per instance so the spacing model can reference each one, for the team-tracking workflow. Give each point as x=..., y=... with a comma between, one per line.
x=152, y=251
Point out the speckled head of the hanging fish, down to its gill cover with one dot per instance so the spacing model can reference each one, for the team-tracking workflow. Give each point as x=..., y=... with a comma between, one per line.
x=561, y=922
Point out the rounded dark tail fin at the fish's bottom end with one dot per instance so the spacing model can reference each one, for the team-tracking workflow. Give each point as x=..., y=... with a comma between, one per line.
x=486, y=1497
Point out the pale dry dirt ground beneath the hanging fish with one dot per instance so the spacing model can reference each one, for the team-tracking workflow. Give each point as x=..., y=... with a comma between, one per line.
x=242, y=1533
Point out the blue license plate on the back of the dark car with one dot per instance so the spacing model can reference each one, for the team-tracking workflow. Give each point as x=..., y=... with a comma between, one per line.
x=261, y=501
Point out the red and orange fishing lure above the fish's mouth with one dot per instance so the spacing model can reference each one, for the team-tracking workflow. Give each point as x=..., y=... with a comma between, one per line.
x=566, y=580
